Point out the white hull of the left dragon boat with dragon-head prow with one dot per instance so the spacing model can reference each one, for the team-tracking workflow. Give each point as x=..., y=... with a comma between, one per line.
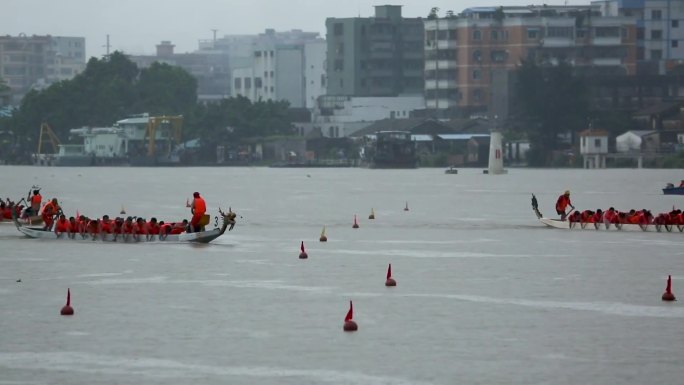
x=205, y=236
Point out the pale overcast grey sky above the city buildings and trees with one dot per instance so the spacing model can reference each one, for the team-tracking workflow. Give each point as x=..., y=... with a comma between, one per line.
x=136, y=26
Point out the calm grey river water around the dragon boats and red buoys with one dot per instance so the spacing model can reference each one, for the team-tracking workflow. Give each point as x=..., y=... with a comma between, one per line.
x=485, y=294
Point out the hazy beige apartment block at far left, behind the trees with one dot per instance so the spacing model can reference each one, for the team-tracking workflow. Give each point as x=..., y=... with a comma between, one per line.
x=28, y=62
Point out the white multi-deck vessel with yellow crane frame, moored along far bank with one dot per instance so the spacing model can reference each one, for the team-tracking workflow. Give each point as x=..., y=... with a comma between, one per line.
x=139, y=140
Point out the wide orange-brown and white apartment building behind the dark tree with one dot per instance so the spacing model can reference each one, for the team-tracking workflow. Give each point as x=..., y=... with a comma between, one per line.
x=464, y=53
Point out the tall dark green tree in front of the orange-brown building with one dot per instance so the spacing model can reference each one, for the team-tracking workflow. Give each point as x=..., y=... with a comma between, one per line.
x=551, y=100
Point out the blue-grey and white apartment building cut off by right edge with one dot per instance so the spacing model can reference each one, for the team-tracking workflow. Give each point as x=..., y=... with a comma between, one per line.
x=660, y=32
